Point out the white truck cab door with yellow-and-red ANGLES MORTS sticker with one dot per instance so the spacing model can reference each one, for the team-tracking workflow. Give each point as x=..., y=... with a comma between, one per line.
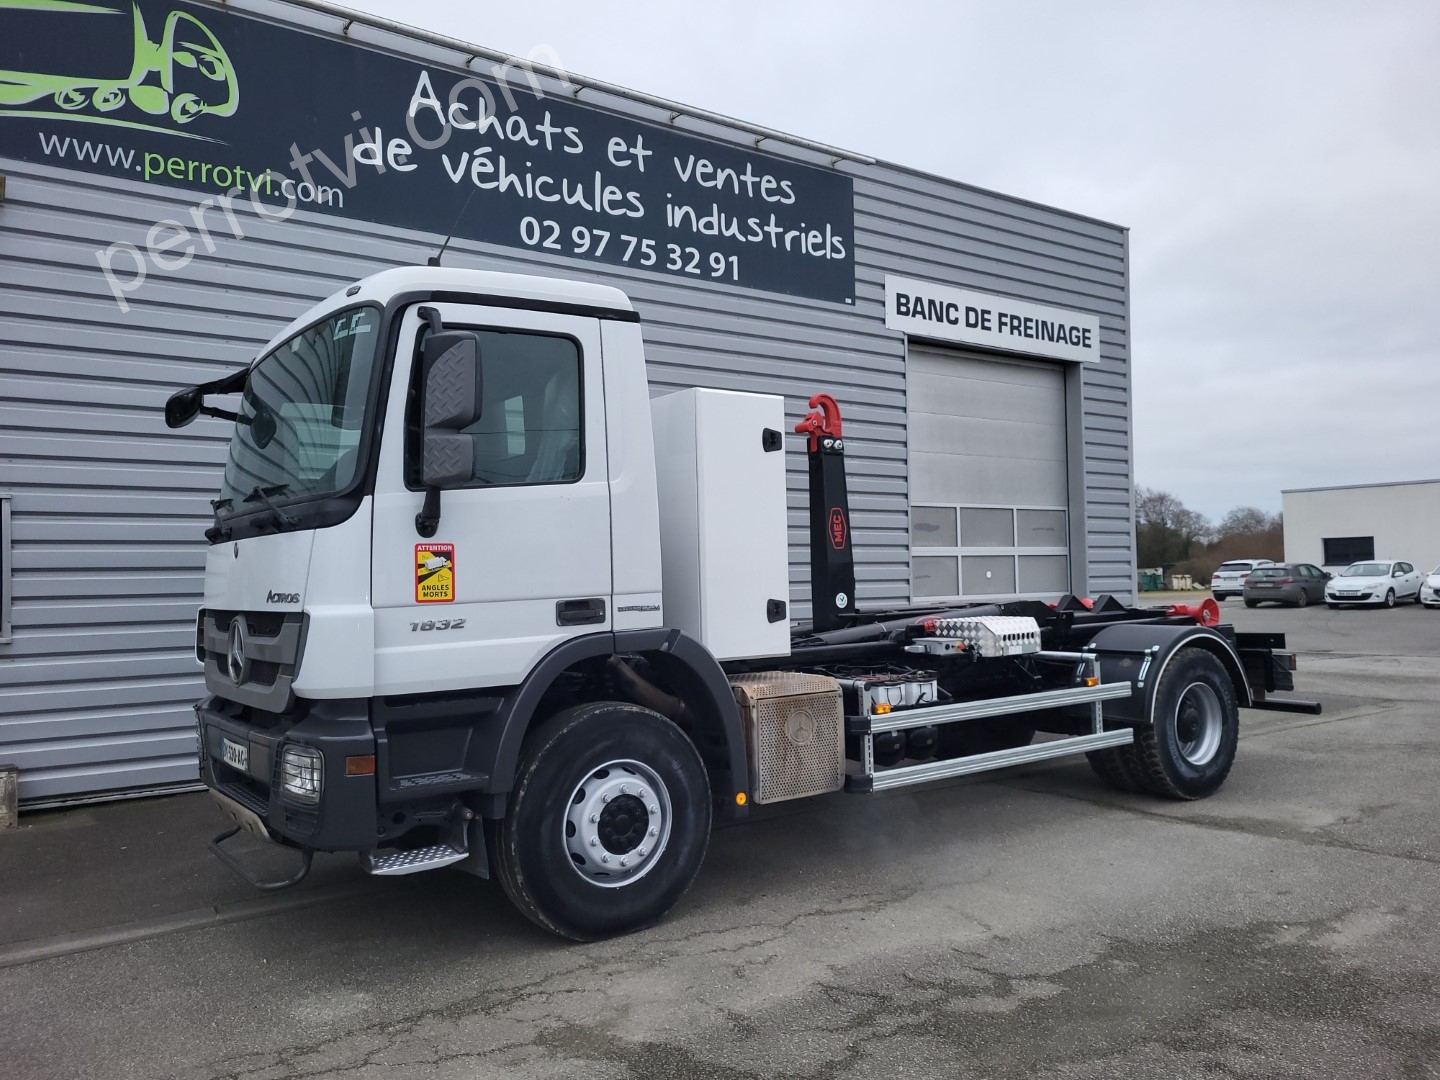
x=522, y=558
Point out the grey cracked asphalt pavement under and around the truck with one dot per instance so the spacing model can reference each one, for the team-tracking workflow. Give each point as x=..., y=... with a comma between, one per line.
x=1029, y=924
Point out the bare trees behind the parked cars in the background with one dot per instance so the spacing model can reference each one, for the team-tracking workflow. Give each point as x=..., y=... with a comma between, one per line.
x=1171, y=535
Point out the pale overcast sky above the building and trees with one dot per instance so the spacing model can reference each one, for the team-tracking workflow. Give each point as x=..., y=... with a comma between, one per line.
x=1278, y=165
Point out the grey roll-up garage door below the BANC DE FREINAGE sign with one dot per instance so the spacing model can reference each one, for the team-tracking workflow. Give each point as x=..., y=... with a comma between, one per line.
x=989, y=477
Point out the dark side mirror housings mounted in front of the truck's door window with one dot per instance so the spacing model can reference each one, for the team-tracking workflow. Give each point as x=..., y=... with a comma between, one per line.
x=451, y=400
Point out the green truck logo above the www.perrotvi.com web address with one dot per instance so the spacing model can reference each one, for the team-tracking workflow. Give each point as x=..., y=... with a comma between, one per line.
x=184, y=76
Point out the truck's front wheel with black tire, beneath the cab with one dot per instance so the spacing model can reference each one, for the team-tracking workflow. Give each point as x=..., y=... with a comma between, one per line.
x=608, y=822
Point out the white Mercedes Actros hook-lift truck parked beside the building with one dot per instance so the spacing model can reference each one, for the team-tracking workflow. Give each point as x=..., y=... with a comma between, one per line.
x=473, y=598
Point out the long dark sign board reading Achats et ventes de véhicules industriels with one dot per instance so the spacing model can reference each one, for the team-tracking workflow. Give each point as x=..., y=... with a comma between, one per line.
x=214, y=102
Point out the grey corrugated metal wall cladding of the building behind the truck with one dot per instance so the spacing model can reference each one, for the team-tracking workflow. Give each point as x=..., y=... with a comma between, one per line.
x=110, y=506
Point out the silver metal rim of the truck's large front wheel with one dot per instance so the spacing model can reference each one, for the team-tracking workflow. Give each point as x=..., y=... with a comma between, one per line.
x=617, y=824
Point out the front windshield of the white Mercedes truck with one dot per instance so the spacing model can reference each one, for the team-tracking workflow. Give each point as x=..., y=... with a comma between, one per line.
x=302, y=415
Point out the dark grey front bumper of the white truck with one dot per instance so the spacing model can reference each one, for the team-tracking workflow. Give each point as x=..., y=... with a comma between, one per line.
x=345, y=817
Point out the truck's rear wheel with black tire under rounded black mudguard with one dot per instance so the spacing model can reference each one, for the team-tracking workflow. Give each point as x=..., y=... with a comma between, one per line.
x=1189, y=748
